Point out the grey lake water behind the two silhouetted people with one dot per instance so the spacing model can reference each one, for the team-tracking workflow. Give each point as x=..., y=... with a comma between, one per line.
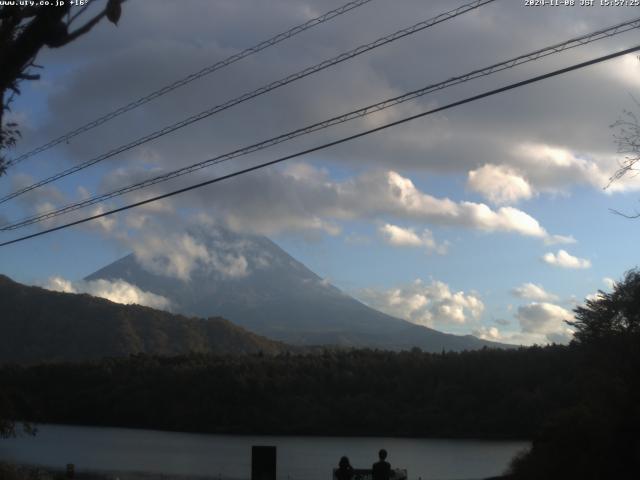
x=229, y=456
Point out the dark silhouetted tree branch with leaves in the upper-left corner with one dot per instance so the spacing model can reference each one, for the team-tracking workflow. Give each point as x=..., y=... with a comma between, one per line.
x=24, y=30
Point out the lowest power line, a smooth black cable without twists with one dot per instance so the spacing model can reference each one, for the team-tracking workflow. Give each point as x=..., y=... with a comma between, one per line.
x=331, y=144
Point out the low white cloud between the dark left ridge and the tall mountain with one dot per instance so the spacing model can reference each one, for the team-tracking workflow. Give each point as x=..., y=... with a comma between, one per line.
x=117, y=291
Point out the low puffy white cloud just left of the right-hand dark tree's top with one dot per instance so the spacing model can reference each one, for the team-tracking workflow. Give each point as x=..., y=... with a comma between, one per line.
x=545, y=319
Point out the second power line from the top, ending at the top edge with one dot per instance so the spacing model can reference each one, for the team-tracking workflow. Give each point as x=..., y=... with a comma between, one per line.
x=260, y=91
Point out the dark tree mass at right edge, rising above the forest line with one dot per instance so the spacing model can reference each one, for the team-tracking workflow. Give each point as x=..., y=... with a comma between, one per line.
x=599, y=436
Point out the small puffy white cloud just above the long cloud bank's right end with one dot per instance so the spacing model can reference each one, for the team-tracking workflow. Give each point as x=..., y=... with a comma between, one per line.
x=500, y=184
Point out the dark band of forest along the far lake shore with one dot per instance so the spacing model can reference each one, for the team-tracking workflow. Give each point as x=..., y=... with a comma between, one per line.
x=488, y=393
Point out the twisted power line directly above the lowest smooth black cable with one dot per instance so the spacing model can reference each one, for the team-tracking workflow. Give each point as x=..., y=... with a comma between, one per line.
x=535, y=55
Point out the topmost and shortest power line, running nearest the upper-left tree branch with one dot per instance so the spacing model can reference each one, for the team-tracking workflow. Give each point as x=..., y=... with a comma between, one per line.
x=190, y=78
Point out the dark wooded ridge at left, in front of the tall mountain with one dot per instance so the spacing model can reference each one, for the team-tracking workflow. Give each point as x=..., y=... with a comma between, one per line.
x=40, y=325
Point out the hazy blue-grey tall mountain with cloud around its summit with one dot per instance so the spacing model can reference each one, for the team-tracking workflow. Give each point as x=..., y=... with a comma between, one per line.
x=278, y=297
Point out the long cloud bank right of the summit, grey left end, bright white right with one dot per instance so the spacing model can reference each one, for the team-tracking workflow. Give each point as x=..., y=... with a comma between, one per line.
x=306, y=200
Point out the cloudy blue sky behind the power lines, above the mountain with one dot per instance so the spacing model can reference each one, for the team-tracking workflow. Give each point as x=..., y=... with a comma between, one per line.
x=488, y=219
